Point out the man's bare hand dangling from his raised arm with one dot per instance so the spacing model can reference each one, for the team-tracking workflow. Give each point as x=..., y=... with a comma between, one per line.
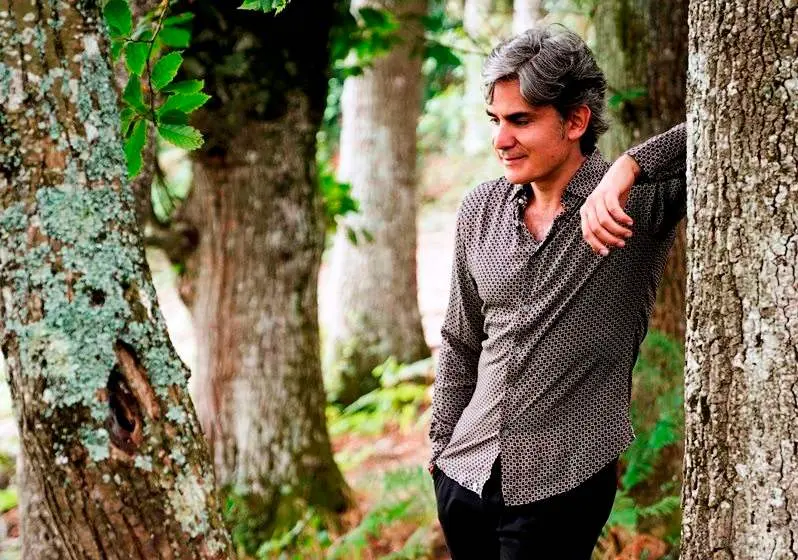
x=604, y=223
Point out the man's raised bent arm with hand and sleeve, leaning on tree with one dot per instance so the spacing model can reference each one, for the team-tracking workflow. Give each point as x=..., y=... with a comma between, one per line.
x=658, y=165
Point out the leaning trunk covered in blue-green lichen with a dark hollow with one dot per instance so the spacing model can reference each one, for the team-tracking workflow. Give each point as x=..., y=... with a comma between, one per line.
x=111, y=442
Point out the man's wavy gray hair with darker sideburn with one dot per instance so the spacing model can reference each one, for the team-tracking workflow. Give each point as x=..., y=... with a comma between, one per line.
x=554, y=67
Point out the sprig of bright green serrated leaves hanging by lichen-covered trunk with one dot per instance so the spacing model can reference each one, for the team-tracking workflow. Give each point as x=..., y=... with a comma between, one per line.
x=150, y=98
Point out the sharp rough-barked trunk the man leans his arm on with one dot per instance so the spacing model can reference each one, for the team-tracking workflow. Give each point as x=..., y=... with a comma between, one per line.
x=740, y=493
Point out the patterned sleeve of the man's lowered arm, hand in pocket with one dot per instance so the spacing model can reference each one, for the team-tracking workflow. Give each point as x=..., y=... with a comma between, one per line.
x=462, y=334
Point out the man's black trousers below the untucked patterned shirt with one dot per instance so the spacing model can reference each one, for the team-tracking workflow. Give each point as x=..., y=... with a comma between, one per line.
x=562, y=527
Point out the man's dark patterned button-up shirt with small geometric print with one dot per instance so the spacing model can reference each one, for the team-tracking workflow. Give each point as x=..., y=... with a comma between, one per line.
x=540, y=337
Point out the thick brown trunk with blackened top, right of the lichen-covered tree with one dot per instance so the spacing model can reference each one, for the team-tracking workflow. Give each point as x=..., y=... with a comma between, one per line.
x=259, y=392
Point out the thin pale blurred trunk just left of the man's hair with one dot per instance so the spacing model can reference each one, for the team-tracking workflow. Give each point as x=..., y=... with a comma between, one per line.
x=477, y=132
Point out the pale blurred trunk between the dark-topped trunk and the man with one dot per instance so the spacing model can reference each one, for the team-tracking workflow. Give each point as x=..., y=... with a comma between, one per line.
x=376, y=312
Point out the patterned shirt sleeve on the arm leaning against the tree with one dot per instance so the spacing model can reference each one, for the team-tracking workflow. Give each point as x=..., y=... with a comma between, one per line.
x=660, y=191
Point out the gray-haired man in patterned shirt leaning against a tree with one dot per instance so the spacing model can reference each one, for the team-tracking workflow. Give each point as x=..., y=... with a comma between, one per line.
x=555, y=275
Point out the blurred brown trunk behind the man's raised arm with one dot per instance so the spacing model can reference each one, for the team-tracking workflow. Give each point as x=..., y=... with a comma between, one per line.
x=641, y=46
